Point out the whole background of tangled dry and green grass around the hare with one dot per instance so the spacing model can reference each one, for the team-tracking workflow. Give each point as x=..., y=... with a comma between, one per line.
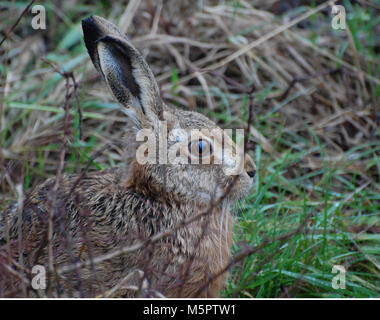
x=317, y=151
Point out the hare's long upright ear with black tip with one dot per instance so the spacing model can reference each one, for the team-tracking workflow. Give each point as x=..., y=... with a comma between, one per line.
x=122, y=67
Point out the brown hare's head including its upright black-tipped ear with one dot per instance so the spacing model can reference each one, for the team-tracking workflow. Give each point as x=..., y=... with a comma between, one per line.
x=179, y=153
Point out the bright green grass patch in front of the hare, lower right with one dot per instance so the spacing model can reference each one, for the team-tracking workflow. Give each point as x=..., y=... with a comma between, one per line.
x=338, y=233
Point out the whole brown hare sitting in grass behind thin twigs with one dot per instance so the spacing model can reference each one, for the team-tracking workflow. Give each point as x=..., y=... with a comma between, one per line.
x=80, y=220
